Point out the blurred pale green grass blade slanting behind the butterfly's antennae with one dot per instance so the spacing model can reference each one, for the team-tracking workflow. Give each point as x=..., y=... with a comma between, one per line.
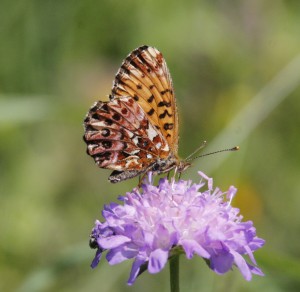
x=258, y=108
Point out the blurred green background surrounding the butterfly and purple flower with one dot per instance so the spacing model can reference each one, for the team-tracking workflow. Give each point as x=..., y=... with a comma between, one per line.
x=236, y=71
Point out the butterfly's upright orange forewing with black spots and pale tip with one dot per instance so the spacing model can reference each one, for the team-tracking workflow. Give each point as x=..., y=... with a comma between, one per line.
x=145, y=77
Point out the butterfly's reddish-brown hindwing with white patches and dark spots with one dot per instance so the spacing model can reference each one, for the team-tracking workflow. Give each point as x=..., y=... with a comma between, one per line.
x=120, y=137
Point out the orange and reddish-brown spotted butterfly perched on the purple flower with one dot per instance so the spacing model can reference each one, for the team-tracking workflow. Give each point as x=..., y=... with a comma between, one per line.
x=136, y=131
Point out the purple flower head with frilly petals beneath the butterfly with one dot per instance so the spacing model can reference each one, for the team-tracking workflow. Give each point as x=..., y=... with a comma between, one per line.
x=176, y=217
